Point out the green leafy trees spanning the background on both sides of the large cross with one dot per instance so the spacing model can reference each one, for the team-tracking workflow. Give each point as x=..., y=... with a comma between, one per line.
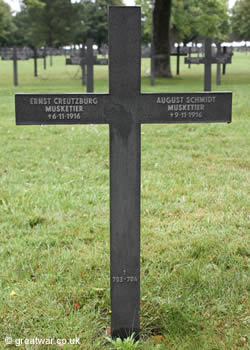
x=60, y=22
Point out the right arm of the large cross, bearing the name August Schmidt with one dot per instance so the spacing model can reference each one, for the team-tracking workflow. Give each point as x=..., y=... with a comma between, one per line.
x=185, y=108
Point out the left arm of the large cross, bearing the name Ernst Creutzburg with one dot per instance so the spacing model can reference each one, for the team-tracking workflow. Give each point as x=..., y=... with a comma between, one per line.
x=37, y=109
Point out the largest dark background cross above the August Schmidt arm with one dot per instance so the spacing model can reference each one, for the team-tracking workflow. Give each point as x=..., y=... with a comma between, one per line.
x=208, y=60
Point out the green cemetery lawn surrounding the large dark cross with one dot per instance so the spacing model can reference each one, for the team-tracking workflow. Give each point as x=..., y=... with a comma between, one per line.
x=54, y=219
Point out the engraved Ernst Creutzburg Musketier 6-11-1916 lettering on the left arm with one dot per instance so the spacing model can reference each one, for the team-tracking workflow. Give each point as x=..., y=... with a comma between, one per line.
x=63, y=108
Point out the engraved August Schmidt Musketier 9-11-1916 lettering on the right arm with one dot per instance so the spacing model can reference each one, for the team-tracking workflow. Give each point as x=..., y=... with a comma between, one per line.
x=186, y=106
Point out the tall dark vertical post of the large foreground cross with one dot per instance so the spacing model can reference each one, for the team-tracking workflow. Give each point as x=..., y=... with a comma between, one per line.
x=124, y=80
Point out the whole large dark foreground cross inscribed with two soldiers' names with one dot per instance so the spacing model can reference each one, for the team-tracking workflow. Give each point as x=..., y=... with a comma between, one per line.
x=124, y=108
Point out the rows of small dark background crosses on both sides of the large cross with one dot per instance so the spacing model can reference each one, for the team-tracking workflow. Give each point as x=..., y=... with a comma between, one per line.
x=87, y=58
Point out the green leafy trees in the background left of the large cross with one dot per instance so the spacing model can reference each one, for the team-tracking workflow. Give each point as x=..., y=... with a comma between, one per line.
x=54, y=23
